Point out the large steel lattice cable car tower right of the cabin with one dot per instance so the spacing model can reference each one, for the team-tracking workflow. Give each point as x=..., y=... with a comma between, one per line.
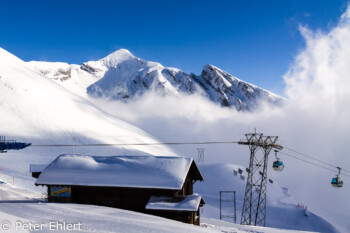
x=254, y=205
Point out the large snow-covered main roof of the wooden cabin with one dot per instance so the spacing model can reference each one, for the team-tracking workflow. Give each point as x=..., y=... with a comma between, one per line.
x=119, y=171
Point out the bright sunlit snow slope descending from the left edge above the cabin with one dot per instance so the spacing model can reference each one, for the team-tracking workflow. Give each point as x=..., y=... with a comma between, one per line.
x=35, y=107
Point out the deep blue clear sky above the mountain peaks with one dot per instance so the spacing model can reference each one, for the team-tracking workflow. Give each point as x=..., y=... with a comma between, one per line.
x=253, y=40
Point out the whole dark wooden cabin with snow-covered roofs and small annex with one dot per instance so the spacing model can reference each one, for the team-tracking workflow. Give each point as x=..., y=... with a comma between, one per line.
x=161, y=186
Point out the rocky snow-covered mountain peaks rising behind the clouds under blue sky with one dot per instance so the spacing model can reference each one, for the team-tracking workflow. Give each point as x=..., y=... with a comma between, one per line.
x=122, y=76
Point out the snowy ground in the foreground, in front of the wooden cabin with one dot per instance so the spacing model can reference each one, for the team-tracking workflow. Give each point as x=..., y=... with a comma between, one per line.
x=23, y=210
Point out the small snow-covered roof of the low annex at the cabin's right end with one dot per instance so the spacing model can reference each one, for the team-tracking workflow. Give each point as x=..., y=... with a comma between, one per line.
x=179, y=203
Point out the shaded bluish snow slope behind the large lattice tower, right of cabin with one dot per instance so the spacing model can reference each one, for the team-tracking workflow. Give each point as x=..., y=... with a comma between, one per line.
x=282, y=209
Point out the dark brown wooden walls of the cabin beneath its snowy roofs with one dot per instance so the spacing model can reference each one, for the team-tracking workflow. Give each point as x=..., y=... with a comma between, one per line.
x=129, y=199
